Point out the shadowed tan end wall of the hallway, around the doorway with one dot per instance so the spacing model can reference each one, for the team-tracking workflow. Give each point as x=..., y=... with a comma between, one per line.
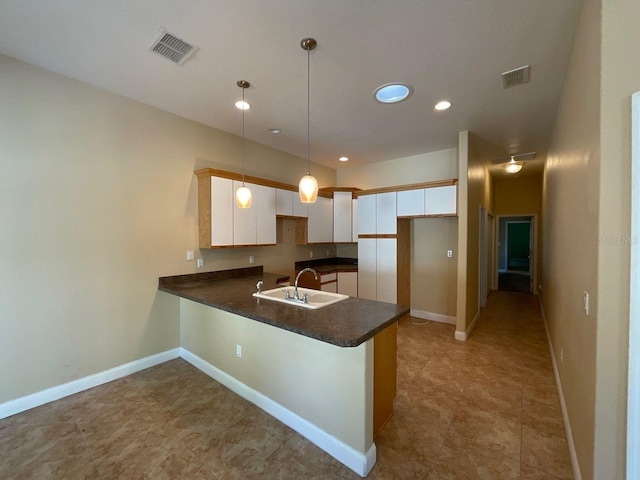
x=521, y=195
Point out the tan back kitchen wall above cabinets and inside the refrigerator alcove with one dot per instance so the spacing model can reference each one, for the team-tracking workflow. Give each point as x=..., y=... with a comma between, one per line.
x=433, y=275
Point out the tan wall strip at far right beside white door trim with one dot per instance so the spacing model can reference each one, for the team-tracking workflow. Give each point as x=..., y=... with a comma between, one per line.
x=620, y=78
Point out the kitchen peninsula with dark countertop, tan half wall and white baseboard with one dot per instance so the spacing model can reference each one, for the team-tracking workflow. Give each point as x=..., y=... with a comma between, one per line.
x=311, y=369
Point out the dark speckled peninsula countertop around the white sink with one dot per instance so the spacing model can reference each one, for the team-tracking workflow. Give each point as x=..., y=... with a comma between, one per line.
x=346, y=324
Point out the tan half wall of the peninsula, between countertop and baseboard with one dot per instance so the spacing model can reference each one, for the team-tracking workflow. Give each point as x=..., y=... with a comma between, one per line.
x=329, y=386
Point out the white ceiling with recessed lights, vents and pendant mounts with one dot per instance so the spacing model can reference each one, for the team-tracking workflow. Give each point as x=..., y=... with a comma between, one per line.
x=444, y=49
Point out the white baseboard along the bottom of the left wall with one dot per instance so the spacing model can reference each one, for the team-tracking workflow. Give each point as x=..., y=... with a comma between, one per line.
x=42, y=397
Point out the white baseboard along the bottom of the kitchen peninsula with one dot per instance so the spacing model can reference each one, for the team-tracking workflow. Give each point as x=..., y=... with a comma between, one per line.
x=359, y=462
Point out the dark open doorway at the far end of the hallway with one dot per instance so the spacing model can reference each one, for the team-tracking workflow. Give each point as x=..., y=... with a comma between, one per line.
x=516, y=247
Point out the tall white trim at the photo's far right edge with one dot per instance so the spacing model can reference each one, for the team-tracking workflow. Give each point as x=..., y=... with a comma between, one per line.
x=633, y=390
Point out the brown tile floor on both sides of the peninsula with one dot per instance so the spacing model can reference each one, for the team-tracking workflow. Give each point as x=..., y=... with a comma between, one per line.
x=484, y=409
